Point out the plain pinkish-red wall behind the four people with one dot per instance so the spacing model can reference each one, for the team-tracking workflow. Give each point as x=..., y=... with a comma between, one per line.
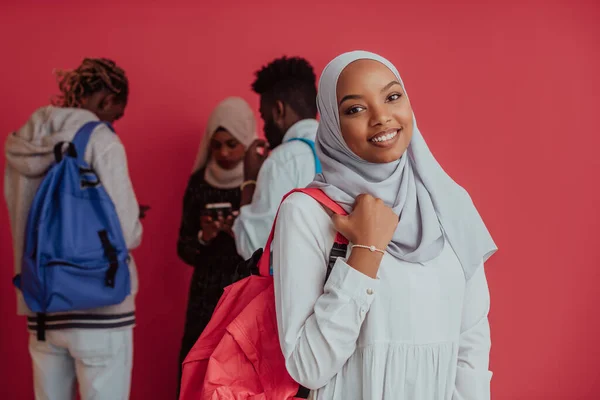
x=506, y=93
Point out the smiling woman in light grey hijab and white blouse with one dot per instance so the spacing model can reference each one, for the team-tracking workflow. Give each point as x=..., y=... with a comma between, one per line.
x=404, y=314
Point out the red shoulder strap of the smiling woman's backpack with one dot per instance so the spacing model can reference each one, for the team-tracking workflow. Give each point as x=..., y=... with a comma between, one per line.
x=340, y=244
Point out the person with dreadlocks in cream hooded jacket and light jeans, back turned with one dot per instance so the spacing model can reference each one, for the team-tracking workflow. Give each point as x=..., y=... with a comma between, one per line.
x=92, y=347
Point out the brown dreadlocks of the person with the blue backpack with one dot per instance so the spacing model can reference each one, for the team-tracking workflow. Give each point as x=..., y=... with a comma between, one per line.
x=92, y=76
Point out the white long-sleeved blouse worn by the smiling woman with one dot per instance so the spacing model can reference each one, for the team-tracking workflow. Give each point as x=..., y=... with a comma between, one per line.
x=417, y=332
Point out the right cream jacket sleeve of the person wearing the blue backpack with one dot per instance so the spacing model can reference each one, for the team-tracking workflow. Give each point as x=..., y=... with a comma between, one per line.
x=111, y=168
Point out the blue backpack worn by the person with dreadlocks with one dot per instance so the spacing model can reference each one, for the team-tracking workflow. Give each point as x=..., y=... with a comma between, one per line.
x=75, y=257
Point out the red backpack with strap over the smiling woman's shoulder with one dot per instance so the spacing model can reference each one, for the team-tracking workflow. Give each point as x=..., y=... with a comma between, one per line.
x=238, y=356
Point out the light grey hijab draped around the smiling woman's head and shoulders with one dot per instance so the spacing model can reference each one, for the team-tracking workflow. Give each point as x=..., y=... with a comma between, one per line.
x=431, y=206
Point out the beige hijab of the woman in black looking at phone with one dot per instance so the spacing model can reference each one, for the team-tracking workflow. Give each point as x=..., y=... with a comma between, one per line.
x=236, y=117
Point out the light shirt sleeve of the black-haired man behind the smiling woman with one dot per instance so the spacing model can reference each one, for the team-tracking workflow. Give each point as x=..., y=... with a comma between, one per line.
x=253, y=225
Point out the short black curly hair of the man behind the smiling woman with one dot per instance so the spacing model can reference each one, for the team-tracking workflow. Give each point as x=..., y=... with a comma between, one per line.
x=290, y=80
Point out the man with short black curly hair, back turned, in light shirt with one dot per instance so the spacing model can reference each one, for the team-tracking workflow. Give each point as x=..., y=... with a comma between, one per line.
x=287, y=91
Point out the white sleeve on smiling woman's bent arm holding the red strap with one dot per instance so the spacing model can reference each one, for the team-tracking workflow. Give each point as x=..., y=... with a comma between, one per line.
x=318, y=325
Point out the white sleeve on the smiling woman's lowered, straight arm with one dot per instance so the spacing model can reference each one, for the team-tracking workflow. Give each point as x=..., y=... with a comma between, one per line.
x=473, y=376
